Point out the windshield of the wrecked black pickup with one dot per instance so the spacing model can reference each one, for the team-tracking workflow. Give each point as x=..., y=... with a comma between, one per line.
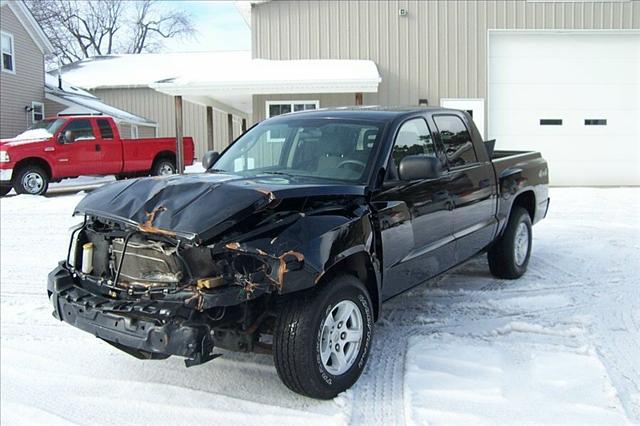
x=320, y=148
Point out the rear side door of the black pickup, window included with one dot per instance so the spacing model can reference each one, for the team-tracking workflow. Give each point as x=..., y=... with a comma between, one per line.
x=472, y=186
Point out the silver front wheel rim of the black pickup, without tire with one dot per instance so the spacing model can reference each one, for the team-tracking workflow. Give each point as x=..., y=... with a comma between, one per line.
x=341, y=337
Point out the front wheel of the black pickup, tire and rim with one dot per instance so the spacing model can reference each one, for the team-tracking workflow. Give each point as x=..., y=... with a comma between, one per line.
x=322, y=339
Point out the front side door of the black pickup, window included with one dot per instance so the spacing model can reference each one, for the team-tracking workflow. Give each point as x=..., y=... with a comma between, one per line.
x=415, y=216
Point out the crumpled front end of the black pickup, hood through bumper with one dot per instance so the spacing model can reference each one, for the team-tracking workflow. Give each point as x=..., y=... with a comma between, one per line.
x=156, y=270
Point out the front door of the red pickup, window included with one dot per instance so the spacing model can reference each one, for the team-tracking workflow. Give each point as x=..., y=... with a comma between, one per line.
x=79, y=155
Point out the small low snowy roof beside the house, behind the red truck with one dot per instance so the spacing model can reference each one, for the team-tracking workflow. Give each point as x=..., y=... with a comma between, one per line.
x=80, y=101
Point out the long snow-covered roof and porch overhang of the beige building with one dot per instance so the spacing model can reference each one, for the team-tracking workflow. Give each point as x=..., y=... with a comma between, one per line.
x=225, y=80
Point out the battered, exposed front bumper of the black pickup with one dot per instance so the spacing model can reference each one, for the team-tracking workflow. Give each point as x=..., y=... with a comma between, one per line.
x=145, y=329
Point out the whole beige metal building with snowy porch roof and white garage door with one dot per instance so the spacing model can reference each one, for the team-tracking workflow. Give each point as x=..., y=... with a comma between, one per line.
x=554, y=76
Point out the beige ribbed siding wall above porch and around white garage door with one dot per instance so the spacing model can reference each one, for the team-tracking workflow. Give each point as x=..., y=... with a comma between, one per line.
x=439, y=49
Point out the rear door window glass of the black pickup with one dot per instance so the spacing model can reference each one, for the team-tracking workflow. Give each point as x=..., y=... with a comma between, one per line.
x=456, y=140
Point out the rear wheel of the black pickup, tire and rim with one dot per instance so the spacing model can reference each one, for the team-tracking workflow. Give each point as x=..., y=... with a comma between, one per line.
x=509, y=256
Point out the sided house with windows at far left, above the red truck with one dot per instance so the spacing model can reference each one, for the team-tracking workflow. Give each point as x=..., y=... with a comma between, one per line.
x=24, y=46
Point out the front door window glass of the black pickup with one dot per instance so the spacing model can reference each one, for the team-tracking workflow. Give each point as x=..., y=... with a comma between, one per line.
x=413, y=138
